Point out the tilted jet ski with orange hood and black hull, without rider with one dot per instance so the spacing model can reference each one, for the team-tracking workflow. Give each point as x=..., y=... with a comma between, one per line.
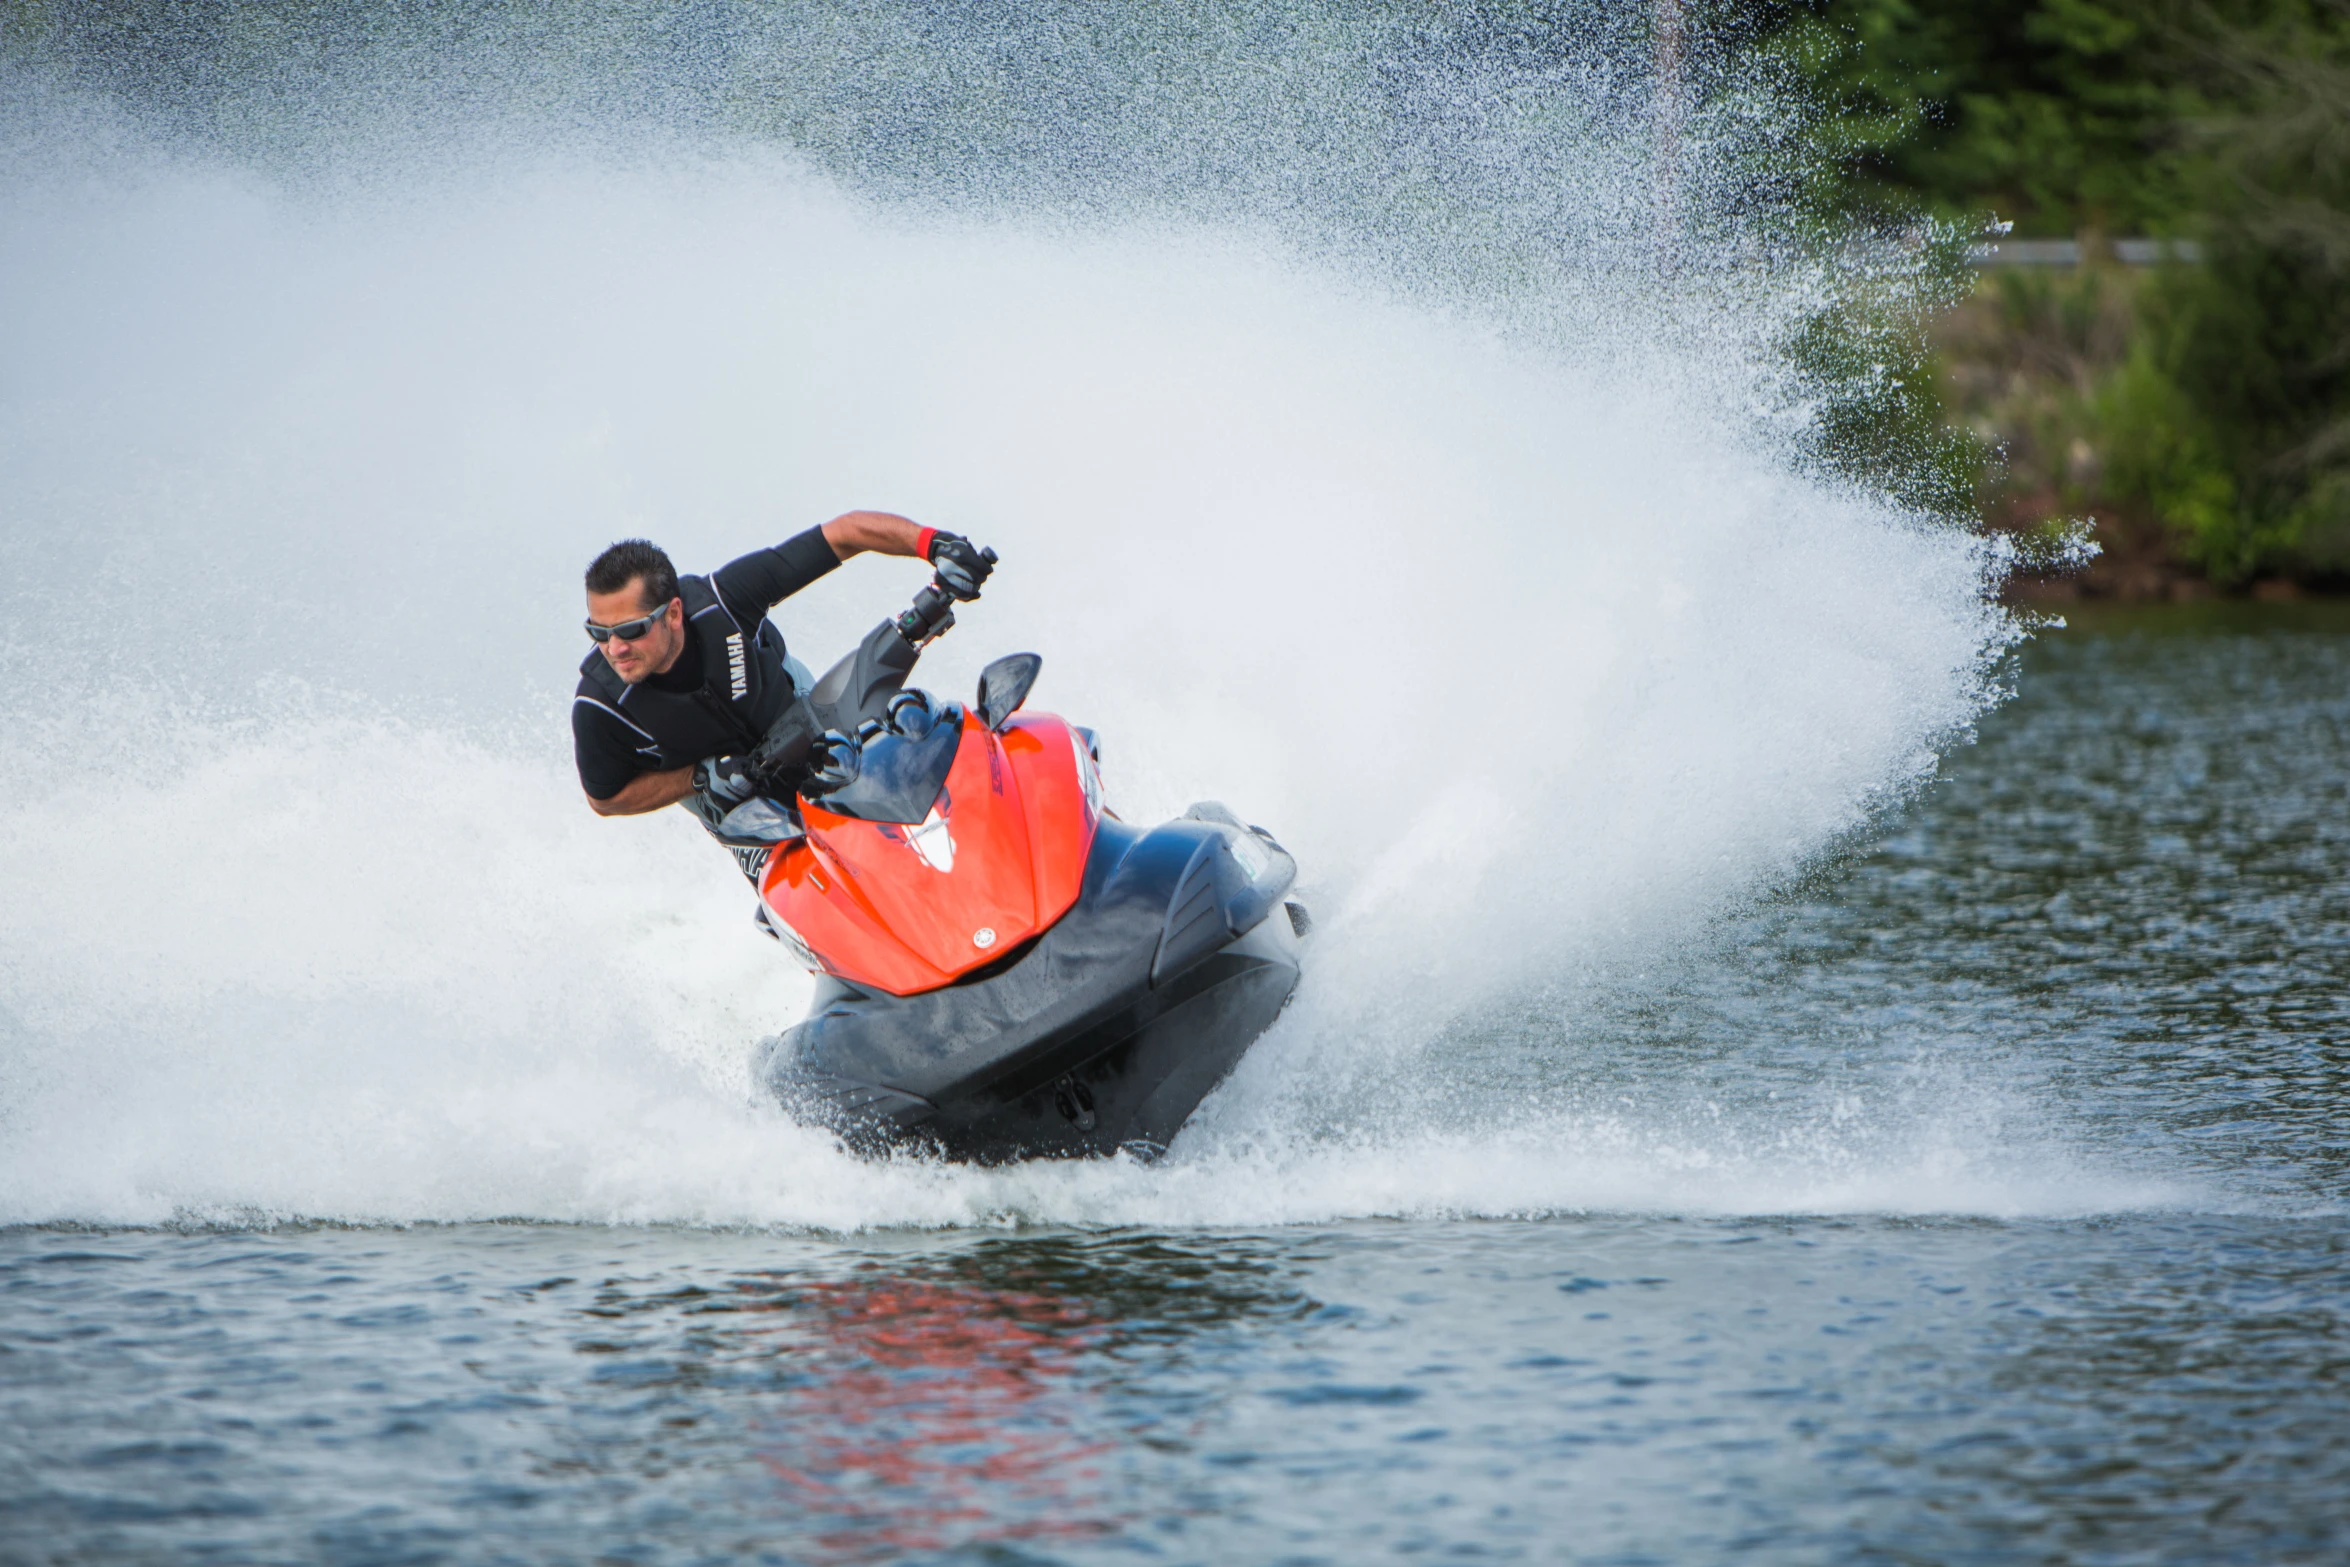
x=1005, y=969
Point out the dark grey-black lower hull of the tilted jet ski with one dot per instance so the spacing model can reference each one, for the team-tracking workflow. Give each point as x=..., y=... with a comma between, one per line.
x=1103, y=1035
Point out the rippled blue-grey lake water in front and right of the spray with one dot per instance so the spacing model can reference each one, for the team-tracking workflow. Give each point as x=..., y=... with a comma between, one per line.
x=1980, y=1202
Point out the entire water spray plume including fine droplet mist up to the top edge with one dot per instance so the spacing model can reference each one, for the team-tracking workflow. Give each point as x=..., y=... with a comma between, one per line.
x=1350, y=455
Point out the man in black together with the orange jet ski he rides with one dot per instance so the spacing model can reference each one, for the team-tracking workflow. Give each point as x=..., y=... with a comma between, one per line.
x=1005, y=969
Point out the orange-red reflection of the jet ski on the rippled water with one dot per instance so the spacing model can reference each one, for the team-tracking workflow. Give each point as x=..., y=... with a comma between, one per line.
x=939, y=1415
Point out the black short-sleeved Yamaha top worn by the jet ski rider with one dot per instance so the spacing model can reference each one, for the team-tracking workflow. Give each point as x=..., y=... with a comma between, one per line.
x=720, y=694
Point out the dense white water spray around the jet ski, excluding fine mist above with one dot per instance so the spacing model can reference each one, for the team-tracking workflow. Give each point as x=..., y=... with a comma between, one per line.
x=1538, y=659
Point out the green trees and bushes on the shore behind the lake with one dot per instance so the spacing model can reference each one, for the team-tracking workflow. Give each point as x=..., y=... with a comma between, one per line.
x=2194, y=410
